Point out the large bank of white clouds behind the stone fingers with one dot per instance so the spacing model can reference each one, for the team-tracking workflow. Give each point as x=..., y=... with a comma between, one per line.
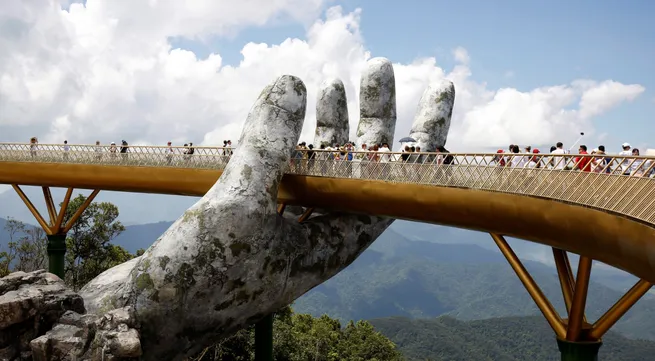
x=107, y=72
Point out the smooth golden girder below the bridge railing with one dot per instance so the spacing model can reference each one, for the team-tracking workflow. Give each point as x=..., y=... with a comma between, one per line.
x=610, y=238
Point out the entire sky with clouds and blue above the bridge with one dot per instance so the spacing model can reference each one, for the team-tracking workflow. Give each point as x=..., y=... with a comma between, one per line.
x=149, y=71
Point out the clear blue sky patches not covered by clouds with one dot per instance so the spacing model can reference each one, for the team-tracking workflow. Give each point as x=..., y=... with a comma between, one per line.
x=538, y=42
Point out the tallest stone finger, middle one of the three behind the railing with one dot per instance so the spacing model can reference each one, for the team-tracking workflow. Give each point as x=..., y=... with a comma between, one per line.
x=377, y=98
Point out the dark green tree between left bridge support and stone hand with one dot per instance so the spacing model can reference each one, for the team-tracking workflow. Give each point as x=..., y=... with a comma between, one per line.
x=88, y=243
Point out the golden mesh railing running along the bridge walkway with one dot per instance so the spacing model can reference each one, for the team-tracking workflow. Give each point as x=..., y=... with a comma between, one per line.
x=623, y=185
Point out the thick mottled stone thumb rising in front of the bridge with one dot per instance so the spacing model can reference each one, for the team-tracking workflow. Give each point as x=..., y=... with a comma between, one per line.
x=268, y=138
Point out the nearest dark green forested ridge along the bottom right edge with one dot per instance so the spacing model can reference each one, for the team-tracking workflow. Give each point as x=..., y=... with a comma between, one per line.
x=497, y=339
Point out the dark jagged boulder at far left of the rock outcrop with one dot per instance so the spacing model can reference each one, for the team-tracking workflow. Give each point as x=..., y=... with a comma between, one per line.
x=30, y=303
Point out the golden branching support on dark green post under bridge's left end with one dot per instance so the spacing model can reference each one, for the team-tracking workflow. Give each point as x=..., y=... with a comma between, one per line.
x=58, y=226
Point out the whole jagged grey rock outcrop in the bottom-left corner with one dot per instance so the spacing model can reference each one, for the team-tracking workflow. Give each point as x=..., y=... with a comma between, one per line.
x=42, y=320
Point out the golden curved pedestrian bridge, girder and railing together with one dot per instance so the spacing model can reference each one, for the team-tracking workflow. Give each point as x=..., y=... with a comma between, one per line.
x=607, y=216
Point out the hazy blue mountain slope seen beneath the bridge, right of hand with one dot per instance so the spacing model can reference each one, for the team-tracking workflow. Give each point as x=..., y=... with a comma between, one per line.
x=397, y=277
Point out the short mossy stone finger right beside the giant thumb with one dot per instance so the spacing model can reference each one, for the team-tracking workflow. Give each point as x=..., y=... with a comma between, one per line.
x=332, y=125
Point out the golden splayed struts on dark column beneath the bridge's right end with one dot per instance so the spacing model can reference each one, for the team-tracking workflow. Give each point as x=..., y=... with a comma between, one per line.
x=577, y=340
